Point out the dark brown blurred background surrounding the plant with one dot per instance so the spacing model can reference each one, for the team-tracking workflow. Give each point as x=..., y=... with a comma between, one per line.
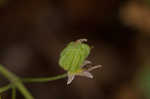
x=33, y=33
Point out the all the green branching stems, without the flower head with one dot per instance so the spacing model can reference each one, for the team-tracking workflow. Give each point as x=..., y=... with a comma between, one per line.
x=16, y=82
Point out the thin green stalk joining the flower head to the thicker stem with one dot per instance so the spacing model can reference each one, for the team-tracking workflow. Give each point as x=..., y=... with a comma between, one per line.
x=44, y=79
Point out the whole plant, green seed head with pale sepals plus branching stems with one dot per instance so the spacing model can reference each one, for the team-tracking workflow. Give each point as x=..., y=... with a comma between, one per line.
x=72, y=59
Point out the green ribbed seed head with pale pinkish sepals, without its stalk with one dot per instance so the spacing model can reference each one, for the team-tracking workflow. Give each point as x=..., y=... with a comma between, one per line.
x=73, y=59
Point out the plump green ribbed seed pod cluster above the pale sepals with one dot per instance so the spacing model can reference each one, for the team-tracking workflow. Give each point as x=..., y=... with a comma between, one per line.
x=73, y=56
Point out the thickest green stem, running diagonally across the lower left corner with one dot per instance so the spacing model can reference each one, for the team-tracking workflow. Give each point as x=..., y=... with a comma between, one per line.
x=16, y=82
